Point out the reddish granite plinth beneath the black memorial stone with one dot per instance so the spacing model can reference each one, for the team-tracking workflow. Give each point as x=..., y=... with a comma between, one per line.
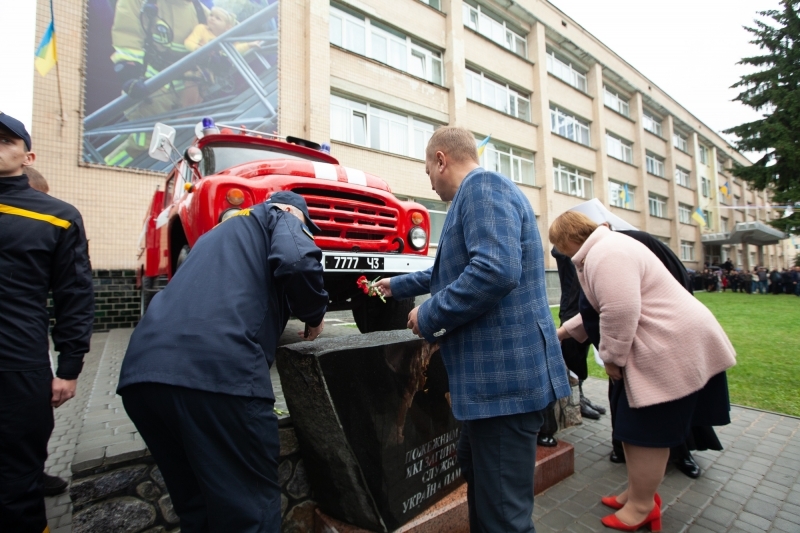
x=450, y=514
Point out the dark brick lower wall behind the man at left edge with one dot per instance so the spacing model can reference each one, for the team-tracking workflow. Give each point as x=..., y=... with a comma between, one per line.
x=116, y=300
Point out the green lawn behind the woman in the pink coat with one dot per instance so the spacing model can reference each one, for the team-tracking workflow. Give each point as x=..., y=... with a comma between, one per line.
x=765, y=330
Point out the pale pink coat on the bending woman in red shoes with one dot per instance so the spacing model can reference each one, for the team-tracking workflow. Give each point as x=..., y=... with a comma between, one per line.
x=668, y=343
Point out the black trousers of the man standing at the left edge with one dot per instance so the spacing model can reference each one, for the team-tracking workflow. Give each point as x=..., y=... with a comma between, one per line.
x=26, y=422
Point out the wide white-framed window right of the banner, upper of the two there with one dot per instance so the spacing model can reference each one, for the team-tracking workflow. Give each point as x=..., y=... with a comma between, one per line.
x=371, y=39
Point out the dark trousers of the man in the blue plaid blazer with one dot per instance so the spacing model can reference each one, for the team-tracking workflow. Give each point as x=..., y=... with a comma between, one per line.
x=497, y=456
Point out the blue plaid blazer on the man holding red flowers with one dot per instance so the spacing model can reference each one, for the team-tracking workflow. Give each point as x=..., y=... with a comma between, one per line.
x=488, y=308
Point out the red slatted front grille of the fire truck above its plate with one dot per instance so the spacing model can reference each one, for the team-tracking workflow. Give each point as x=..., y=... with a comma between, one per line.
x=351, y=216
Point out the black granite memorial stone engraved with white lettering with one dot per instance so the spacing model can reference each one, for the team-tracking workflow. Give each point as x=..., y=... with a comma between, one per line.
x=372, y=415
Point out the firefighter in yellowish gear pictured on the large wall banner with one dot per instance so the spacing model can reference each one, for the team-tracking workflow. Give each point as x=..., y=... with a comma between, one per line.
x=148, y=36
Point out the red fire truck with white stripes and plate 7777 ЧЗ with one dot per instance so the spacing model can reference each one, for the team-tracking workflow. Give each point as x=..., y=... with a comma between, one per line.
x=366, y=230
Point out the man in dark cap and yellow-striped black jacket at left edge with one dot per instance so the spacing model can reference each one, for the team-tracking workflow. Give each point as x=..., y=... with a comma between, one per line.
x=43, y=248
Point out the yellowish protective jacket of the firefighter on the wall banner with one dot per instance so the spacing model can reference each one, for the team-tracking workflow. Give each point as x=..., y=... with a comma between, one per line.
x=175, y=22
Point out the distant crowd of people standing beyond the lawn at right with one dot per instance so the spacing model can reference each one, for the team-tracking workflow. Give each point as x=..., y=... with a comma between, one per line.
x=760, y=280
